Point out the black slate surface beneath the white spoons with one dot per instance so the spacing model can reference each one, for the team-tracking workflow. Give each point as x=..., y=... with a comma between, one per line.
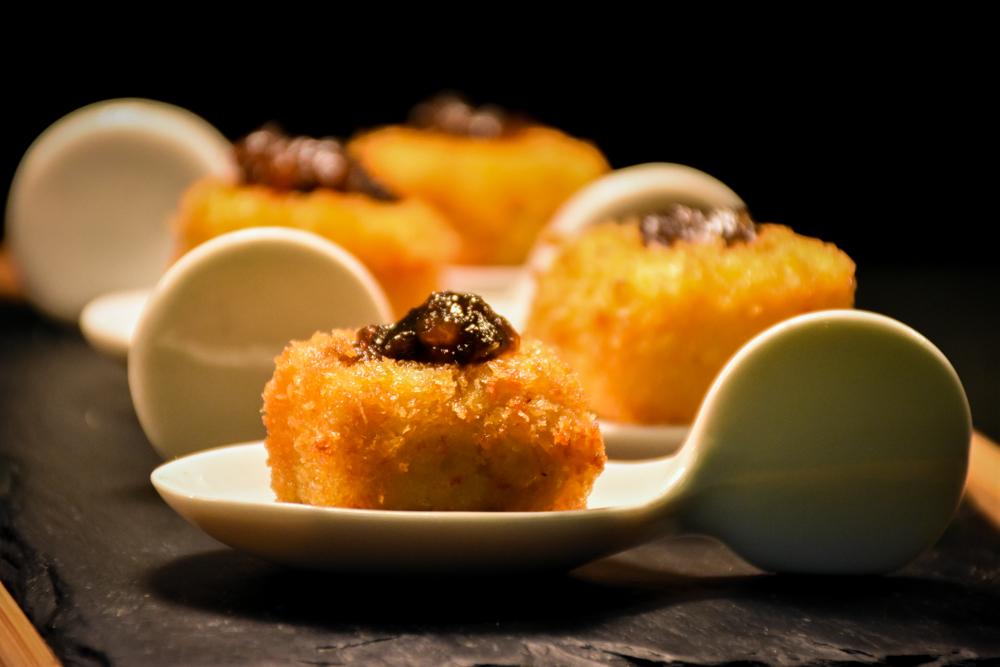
x=110, y=575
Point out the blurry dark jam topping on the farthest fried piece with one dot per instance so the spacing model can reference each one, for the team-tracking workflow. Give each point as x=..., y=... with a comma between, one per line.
x=451, y=114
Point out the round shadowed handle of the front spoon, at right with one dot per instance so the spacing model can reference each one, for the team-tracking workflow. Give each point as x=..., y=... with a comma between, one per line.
x=835, y=442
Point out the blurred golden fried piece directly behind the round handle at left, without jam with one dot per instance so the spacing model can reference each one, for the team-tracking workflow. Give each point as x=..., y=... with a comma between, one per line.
x=404, y=244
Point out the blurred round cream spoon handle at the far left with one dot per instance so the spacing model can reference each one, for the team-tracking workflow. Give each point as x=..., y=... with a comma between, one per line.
x=91, y=201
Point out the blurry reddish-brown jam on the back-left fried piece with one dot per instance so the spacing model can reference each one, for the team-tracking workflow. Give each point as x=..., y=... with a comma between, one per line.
x=270, y=157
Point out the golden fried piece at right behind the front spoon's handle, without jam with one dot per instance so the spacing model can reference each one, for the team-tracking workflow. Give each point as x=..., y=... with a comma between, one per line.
x=648, y=328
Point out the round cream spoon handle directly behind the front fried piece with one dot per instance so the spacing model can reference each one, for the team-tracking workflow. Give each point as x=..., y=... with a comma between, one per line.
x=205, y=344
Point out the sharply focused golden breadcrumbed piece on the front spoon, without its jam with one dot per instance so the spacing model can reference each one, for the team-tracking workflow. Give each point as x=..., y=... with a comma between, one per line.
x=513, y=433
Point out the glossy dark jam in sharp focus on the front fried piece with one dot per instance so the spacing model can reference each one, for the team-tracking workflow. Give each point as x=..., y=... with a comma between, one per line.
x=448, y=328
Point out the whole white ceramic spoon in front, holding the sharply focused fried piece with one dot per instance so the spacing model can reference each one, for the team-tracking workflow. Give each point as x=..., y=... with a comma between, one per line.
x=835, y=442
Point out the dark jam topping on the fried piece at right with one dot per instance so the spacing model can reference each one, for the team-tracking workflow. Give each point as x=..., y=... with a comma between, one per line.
x=683, y=223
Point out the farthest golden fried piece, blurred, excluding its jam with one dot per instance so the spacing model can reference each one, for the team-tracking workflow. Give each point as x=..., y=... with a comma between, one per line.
x=498, y=193
